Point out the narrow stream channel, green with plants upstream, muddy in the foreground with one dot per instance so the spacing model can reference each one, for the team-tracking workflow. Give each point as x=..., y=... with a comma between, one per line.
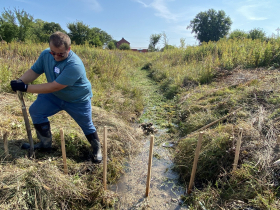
x=165, y=190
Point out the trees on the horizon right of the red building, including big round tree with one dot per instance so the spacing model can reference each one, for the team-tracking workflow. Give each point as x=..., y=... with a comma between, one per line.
x=208, y=26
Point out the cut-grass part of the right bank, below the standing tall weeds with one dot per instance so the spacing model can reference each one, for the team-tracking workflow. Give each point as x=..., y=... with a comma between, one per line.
x=255, y=182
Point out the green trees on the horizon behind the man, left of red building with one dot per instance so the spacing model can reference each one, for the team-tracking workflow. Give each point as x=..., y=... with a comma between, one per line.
x=18, y=25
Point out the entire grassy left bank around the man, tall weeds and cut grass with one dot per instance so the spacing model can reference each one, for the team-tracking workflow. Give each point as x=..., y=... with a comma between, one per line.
x=40, y=183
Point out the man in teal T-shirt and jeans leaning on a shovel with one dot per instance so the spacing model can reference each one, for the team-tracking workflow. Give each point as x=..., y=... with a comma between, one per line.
x=67, y=89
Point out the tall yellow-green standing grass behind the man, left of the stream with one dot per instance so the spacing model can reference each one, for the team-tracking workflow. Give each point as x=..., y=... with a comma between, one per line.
x=108, y=71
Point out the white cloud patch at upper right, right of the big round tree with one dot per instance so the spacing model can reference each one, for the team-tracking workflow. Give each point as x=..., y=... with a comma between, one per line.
x=253, y=11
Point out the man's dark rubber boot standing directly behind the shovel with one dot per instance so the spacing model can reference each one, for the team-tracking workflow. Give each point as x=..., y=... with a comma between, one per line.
x=43, y=132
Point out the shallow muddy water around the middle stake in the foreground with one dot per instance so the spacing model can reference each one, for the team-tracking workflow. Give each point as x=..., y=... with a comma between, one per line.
x=165, y=191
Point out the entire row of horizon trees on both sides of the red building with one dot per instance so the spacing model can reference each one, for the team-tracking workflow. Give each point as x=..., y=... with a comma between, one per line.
x=211, y=25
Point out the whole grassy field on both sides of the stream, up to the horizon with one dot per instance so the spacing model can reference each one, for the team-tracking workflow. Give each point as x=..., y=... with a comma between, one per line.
x=201, y=84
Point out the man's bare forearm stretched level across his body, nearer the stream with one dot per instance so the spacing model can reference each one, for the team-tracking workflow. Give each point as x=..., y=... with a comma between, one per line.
x=45, y=88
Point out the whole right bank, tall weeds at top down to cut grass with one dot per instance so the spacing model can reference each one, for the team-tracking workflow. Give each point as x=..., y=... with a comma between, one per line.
x=207, y=83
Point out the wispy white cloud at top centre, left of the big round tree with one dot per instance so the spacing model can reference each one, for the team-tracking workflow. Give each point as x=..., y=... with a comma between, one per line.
x=161, y=9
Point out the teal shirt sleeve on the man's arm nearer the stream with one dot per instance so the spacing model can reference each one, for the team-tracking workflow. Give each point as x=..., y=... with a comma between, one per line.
x=70, y=74
